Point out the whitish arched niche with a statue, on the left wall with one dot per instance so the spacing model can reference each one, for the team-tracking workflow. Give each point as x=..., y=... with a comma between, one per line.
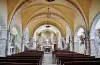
x=14, y=45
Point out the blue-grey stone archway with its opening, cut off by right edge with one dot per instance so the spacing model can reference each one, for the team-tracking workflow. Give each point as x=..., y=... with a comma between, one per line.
x=95, y=36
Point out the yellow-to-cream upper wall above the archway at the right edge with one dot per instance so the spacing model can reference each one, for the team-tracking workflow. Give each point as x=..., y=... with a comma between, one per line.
x=93, y=11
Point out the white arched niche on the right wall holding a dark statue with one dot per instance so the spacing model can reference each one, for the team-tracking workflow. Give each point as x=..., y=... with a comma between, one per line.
x=79, y=42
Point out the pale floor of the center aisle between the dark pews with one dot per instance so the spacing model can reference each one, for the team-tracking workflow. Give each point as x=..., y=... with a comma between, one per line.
x=48, y=60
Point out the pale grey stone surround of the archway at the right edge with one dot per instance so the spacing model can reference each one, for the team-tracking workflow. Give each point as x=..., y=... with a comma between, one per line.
x=94, y=46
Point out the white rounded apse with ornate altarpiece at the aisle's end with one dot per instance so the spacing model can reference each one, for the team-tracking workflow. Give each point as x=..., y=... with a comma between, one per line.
x=47, y=38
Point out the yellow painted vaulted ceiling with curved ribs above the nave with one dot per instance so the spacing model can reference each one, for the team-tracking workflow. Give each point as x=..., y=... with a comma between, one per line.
x=66, y=9
